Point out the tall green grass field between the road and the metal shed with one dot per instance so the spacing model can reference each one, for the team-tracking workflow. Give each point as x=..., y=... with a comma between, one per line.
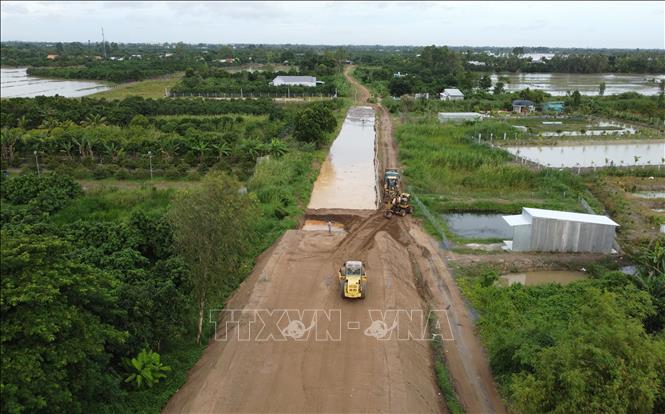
x=452, y=173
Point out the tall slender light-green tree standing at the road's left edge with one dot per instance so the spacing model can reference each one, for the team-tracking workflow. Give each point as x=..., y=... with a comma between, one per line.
x=213, y=225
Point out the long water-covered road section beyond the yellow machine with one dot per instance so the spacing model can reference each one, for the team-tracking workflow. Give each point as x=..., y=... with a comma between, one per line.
x=347, y=179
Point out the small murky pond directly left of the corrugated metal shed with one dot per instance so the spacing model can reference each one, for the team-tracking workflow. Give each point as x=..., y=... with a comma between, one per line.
x=478, y=226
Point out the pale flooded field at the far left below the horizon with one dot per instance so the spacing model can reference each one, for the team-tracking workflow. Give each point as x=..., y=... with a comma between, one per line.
x=16, y=83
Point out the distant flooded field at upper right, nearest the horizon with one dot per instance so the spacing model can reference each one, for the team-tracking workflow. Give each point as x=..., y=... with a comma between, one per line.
x=557, y=84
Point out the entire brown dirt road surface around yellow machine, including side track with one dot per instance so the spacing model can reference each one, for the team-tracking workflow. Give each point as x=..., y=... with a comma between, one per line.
x=288, y=343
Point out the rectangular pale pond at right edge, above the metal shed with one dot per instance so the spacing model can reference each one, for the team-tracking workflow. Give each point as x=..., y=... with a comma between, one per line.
x=593, y=155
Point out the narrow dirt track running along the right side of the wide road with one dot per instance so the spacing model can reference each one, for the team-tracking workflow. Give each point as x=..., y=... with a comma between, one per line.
x=465, y=357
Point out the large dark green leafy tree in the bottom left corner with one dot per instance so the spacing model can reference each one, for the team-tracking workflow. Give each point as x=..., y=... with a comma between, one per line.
x=54, y=329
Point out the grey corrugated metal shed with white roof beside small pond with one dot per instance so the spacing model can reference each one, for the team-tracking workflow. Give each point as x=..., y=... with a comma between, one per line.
x=560, y=231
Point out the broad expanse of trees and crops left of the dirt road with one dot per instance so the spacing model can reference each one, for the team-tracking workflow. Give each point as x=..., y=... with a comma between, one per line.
x=114, y=259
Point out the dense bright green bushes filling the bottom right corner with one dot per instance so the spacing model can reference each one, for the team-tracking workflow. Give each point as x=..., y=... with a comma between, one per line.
x=595, y=345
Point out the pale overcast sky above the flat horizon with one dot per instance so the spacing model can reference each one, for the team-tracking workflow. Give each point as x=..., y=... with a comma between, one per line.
x=594, y=24
